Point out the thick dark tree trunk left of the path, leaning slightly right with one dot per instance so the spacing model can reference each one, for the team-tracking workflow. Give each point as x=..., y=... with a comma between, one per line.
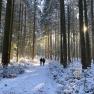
x=6, y=40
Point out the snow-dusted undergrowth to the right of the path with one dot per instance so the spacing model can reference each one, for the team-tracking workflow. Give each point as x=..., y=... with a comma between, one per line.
x=72, y=80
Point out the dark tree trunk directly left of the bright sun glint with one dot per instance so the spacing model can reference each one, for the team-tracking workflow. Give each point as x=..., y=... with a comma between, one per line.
x=82, y=39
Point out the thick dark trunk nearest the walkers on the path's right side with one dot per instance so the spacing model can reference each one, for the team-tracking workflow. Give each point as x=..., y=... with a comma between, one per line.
x=63, y=53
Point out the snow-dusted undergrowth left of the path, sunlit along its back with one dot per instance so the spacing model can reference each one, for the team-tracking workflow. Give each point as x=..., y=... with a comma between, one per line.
x=15, y=68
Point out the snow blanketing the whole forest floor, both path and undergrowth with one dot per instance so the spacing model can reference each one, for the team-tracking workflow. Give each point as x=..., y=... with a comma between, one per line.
x=49, y=79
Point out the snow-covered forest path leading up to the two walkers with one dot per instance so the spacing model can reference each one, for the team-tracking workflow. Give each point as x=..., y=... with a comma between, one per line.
x=35, y=80
